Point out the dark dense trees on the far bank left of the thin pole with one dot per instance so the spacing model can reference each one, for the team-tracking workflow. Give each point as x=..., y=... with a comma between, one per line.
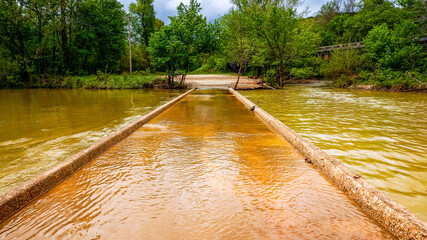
x=60, y=37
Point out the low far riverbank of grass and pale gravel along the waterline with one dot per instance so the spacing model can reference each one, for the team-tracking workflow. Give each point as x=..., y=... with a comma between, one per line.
x=150, y=81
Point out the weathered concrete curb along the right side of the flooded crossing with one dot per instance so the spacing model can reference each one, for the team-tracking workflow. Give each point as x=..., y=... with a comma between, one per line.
x=391, y=215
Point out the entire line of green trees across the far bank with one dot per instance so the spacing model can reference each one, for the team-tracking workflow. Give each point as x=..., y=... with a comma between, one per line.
x=268, y=39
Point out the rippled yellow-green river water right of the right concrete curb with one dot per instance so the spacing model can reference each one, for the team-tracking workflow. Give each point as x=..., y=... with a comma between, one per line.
x=380, y=135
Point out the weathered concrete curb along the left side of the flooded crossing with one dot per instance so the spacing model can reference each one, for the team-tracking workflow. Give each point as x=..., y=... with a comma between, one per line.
x=17, y=198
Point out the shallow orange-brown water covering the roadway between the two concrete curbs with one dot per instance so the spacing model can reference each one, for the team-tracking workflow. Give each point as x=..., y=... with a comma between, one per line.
x=204, y=169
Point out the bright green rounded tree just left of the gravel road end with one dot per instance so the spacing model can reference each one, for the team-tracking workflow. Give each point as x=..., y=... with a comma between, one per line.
x=183, y=43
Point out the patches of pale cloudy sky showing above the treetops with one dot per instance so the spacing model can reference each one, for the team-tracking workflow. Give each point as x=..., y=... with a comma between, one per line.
x=212, y=9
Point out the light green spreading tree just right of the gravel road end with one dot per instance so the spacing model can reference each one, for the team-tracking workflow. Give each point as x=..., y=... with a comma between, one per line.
x=277, y=28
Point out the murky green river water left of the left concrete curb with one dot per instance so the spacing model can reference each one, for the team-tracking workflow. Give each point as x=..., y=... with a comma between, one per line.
x=40, y=127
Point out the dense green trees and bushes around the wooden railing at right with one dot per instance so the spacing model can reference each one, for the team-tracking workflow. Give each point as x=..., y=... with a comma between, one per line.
x=389, y=30
